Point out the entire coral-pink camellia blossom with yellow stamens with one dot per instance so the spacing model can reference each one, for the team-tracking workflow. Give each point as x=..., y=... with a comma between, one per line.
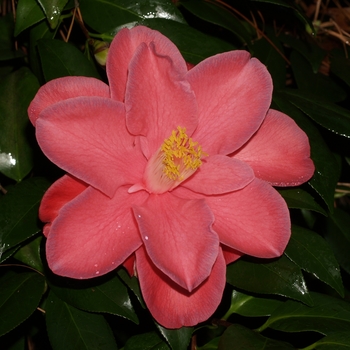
x=169, y=171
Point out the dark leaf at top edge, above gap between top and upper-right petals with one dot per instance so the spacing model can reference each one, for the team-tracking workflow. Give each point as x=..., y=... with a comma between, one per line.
x=213, y=13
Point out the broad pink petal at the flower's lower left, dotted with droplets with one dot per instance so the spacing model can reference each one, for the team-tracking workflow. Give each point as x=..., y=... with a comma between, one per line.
x=93, y=234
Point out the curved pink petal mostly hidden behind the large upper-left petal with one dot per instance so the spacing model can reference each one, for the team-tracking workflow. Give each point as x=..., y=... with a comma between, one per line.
x=63, y=89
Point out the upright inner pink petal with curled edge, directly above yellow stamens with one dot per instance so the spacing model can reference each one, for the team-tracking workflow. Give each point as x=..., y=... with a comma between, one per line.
x=158, y=99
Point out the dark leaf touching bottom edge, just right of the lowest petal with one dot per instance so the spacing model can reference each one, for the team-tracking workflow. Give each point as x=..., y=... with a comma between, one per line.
x=244, y=338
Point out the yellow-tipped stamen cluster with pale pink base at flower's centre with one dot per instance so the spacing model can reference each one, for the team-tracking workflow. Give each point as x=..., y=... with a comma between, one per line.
x=175, y=161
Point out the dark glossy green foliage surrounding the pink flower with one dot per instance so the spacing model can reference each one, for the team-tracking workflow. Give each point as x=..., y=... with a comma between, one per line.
x=300, y=300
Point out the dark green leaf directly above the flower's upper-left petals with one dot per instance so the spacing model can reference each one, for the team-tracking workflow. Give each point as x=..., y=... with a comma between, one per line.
x=61, y=59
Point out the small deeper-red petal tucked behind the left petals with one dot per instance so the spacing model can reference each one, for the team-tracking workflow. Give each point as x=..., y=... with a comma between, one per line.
x=60, y=193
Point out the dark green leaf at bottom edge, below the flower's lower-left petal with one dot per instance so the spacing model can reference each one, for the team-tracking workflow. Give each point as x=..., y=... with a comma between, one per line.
x=70, y=328
